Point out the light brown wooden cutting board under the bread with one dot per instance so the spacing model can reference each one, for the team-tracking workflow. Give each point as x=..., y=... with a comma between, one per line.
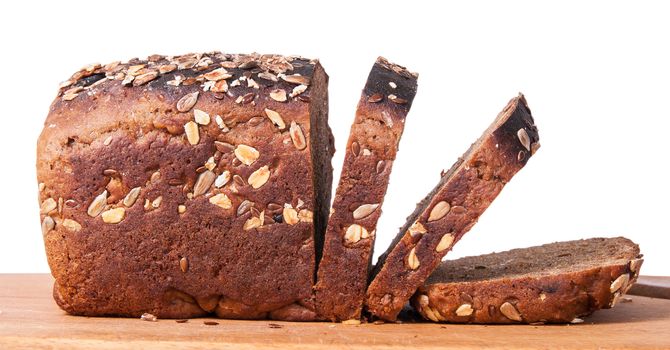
x=30, y=319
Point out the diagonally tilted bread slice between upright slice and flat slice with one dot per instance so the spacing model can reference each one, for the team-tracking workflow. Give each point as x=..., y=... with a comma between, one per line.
x=452, y=208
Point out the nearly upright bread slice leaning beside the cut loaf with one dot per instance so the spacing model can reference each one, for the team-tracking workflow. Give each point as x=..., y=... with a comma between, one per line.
x=371, y=150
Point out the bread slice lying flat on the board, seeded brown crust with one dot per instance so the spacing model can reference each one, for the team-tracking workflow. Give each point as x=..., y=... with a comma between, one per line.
x=551, y=283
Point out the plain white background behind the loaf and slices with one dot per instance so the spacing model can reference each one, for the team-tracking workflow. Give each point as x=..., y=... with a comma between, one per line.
x=596, y=76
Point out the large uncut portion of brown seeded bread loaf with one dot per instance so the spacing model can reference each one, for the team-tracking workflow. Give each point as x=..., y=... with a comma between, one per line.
x=187, y=185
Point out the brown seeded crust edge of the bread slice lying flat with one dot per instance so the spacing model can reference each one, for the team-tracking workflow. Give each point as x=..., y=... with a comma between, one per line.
x=550, y=298
